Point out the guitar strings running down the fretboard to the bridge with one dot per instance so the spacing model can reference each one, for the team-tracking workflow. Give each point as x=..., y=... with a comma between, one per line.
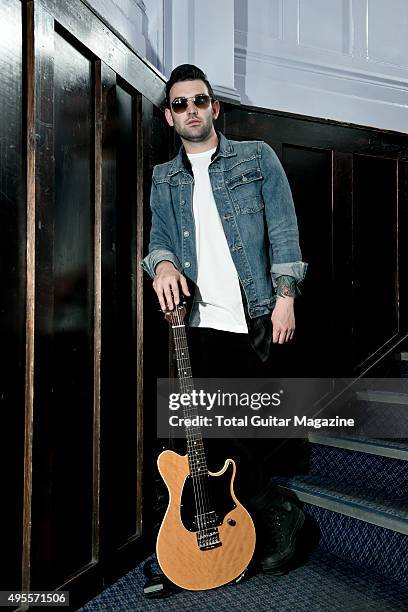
x=200, y=487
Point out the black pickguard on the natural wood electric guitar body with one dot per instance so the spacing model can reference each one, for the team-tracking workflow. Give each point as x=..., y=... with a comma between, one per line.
x=219, y=495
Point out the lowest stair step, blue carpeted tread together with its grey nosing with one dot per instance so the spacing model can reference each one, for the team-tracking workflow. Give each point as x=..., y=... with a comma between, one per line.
x=389, y=514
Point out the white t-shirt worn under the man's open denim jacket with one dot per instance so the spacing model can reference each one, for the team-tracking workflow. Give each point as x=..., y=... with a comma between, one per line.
x=217, y=301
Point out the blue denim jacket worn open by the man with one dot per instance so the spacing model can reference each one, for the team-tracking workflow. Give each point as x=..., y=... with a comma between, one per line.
x=256, y=209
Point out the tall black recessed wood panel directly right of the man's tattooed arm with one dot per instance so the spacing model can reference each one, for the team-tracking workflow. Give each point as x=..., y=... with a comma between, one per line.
x=309, y=173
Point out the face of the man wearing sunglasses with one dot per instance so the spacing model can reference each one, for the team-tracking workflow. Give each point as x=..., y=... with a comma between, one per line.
x=194, y=124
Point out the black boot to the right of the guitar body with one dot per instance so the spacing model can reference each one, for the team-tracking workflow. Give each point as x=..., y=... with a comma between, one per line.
x=278, y=524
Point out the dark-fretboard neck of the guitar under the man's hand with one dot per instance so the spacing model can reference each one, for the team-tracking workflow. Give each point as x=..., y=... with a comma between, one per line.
x=195, y=446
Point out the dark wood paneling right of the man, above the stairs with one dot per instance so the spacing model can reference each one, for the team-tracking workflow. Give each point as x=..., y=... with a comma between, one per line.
x=350, y=192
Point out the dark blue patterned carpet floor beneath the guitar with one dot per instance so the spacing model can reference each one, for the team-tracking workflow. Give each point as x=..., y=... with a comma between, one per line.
x=324, y=583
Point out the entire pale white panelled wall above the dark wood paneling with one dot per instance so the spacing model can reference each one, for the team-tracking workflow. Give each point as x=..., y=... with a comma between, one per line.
x=340, y=59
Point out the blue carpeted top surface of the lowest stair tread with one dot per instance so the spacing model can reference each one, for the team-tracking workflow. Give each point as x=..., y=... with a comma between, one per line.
x=320, y=486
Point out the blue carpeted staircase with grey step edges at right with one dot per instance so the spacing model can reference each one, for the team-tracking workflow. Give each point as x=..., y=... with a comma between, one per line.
x=356, y=490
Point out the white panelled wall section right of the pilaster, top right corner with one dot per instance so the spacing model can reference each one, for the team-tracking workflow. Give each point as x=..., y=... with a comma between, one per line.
x=341, y=59
